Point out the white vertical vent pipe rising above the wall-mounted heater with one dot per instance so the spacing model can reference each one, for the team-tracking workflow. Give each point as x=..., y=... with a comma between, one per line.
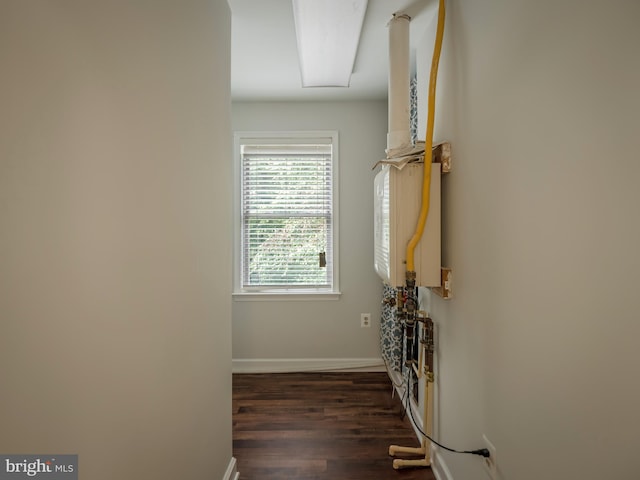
x=399, y=134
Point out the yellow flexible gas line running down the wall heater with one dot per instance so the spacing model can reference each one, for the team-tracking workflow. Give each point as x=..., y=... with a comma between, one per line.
x=426, y=184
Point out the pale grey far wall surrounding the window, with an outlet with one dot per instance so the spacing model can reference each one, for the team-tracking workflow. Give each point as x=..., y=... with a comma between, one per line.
x=324, y=329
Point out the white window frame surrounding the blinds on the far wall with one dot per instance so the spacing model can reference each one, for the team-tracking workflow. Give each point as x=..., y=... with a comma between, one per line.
x=286, y=292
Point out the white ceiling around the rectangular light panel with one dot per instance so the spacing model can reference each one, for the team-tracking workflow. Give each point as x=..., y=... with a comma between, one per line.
x=264, y=58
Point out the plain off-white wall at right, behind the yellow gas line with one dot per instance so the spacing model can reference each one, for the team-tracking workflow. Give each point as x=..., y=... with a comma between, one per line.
x=538, y=348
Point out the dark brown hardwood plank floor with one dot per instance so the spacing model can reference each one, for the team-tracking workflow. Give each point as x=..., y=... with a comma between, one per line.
x=319, y=426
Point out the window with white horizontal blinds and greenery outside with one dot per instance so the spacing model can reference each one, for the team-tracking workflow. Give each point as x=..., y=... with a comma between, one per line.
x=286, y=215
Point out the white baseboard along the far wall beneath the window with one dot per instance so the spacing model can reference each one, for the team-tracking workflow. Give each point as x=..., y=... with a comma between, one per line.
x=291, y=365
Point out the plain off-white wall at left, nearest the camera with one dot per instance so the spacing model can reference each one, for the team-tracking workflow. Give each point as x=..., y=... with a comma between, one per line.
x=114, y=198
